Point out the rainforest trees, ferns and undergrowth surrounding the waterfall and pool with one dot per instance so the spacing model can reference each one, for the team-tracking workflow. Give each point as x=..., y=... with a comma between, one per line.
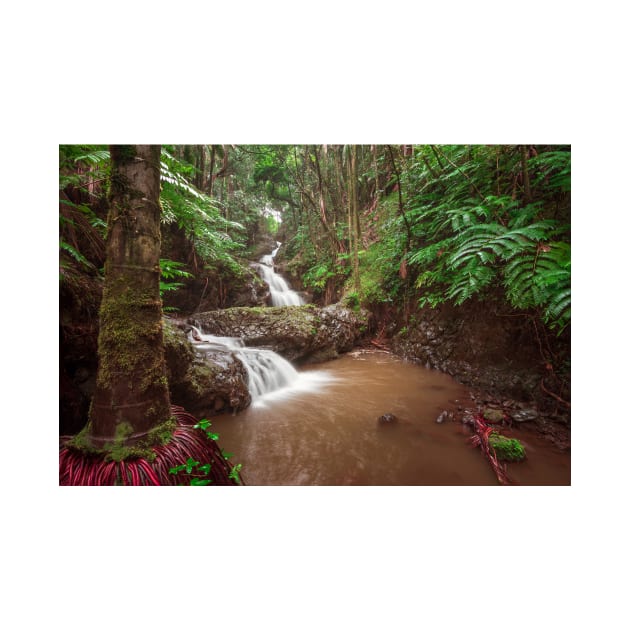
x=457, y=256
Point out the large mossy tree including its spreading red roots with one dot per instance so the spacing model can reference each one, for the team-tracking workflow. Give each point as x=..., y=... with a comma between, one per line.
x=134, y=436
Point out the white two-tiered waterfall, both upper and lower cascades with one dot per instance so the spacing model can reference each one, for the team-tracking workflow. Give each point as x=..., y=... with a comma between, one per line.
x=270, y=376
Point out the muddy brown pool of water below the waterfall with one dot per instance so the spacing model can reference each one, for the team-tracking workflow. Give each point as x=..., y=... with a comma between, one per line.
x=330, y=435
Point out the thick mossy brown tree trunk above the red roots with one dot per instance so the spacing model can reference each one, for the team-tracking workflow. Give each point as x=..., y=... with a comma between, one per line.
x=131, y=397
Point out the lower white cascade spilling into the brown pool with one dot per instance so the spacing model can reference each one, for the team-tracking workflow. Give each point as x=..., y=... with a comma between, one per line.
x=270, y=376
